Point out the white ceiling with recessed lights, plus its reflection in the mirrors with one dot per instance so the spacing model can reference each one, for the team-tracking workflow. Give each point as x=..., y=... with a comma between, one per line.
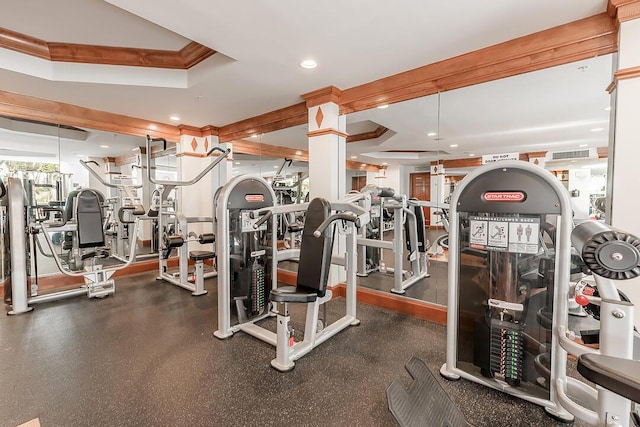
x=261, y=43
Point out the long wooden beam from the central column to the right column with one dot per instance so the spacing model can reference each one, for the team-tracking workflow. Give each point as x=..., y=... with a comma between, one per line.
x=567, y=43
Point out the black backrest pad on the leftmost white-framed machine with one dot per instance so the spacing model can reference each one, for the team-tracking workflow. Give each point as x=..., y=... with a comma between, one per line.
x=89, y=219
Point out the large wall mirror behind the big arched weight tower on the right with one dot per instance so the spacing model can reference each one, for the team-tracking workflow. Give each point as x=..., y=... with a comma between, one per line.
x=557, y=118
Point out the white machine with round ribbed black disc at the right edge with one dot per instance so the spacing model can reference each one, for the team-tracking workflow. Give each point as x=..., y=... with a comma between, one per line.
x=611, y=255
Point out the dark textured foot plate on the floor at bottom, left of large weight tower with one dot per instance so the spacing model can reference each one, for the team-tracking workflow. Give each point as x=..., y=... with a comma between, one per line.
x=425, y=403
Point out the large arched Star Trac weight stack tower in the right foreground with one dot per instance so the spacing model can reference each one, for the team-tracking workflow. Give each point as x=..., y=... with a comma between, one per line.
x=503, y=272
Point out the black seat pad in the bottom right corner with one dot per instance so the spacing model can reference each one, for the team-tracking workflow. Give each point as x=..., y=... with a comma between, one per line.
x=621, y=376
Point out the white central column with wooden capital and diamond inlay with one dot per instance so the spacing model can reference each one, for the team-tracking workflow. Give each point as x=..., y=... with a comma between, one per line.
x=327, y=157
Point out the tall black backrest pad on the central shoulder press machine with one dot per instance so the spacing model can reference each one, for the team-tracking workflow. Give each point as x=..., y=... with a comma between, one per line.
x=315, y=252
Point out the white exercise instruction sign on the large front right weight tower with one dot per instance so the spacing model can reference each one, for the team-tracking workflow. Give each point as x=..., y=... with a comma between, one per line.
x=506, y=234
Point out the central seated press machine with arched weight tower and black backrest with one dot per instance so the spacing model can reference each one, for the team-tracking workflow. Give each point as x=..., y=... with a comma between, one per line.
x=247, y=276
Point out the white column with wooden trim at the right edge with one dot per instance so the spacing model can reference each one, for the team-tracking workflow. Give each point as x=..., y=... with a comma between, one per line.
x=624, y=142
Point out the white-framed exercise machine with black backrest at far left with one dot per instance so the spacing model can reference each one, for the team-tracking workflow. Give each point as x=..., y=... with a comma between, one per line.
x=88, y=239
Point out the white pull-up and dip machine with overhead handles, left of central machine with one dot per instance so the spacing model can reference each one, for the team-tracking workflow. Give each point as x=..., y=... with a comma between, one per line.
x=173, y=232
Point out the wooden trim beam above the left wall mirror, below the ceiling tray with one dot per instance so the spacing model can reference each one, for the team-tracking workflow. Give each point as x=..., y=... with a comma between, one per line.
x=28, y=107
